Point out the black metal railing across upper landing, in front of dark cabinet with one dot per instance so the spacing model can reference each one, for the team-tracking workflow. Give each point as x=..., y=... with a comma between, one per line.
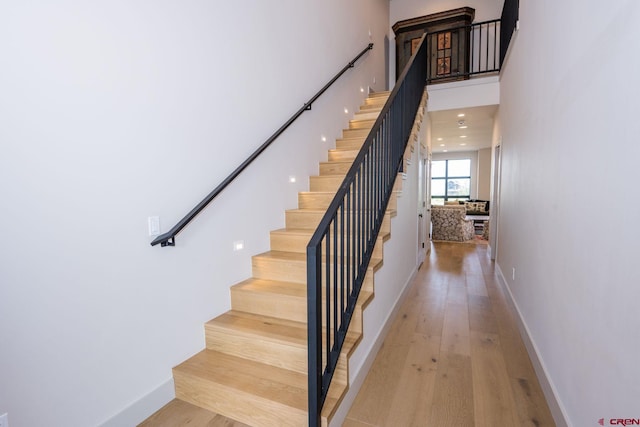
x=464, y=51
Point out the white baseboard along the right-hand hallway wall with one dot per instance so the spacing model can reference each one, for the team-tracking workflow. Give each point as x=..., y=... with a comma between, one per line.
x=550, y=393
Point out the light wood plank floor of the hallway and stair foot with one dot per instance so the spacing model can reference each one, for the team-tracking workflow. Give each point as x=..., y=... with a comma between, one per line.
x=453, y=357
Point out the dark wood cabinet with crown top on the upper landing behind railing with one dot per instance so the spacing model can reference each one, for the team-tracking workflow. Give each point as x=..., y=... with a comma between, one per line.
x=447, y=44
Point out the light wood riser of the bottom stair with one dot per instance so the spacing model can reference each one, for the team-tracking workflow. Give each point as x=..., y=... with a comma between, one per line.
x=232, y=403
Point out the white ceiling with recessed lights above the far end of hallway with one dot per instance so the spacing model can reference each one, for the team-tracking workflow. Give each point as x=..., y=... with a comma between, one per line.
x=478, y=134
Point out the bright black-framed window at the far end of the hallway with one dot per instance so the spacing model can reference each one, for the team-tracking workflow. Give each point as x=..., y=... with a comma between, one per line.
x=450, y=180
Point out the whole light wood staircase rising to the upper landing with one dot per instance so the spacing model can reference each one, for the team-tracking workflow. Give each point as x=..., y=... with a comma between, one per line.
x=254, y=367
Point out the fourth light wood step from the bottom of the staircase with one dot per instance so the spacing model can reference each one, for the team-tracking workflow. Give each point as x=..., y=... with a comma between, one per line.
x=288, y=266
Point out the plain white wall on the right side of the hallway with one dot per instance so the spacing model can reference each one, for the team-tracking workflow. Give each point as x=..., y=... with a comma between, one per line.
x=569, y=207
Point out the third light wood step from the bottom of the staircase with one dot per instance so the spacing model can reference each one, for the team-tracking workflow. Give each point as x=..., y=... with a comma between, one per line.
x=286, y=300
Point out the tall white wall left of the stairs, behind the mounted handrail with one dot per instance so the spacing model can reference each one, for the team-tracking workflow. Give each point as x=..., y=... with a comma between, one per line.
x=116, y=111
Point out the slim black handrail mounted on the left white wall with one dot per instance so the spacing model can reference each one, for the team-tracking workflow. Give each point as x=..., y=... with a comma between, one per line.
x=168, y=238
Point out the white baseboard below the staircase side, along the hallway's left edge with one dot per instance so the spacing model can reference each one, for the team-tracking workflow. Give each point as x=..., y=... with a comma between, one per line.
x=363, y=370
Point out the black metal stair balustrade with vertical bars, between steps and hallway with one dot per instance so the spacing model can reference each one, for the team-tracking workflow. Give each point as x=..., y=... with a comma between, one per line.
x=350, y=227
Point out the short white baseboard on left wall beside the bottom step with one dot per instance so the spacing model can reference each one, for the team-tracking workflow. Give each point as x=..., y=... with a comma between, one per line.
x=144, y=407
